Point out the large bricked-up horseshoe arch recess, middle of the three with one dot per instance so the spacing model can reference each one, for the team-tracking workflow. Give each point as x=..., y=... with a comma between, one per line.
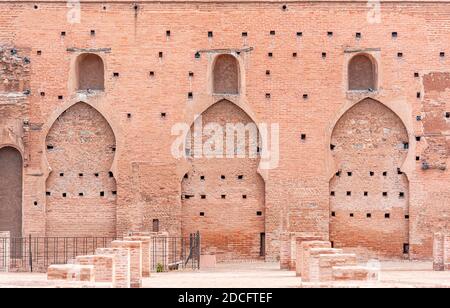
x=224, y=198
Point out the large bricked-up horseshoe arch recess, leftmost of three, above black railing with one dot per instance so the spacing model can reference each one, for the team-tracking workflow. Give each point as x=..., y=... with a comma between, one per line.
x=81, y=190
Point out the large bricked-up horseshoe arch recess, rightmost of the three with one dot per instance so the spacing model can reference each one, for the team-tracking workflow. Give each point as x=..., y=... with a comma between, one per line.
x=369, y=195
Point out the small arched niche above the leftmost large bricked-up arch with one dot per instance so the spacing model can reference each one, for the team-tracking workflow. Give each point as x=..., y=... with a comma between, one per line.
x=90, y=72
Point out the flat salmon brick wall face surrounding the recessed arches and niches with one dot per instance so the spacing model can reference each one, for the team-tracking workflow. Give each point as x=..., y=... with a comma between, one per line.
x=297, y=192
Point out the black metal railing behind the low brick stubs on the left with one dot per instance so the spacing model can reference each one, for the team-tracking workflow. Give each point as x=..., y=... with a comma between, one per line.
x=36, y=254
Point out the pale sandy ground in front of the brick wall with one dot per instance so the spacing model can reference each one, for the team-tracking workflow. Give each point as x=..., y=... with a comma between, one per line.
x=261, y=275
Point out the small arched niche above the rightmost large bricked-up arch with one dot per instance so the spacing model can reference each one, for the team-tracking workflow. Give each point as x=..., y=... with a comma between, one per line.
x=362, y=73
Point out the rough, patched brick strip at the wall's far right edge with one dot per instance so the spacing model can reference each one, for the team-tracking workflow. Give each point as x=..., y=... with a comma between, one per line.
x=430, y=209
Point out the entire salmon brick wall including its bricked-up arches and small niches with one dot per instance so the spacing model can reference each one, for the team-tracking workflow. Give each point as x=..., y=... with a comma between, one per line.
x=89, y=96
